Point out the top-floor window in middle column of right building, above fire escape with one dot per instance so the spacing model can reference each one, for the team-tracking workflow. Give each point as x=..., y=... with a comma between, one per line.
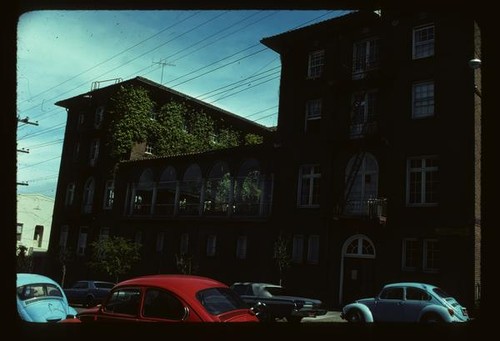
x=366, y=55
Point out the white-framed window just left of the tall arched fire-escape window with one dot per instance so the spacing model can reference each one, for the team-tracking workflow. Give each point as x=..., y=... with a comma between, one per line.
x=309, y=185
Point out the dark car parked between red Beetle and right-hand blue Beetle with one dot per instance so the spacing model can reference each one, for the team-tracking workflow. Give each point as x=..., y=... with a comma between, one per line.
x=273, y=303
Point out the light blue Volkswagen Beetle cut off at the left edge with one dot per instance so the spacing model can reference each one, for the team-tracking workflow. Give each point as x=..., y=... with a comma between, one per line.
x=41, y=299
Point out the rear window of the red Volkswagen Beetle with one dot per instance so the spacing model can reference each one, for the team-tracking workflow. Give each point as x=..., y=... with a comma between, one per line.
x=220, y=300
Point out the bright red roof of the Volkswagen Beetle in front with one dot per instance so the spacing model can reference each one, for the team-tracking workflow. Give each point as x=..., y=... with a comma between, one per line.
x=174, y=282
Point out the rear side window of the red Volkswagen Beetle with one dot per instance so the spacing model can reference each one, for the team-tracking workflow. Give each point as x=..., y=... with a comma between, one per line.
x=162, y=304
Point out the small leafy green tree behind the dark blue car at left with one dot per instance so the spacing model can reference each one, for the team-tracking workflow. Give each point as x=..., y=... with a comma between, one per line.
x=114, y=256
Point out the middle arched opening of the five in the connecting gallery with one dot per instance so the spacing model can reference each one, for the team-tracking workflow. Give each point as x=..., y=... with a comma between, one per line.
x=190, y=191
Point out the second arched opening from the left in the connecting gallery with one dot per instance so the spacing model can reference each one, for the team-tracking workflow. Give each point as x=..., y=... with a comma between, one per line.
x=166, y=192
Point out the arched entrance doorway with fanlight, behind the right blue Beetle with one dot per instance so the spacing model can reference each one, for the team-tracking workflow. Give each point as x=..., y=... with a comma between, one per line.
x=357, y=277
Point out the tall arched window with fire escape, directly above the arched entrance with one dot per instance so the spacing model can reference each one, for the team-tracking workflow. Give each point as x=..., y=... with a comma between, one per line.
x=361, y=183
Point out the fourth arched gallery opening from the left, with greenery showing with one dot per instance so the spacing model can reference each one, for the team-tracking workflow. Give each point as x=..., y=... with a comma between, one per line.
x=218, y=188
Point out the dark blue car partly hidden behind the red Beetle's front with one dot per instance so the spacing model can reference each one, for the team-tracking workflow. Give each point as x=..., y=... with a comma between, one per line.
x=88, y=293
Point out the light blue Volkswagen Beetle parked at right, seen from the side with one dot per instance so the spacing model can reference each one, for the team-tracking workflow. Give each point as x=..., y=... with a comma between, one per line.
x=406, y=302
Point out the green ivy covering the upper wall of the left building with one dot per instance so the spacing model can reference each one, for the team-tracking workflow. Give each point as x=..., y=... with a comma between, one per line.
x=174, y=128
